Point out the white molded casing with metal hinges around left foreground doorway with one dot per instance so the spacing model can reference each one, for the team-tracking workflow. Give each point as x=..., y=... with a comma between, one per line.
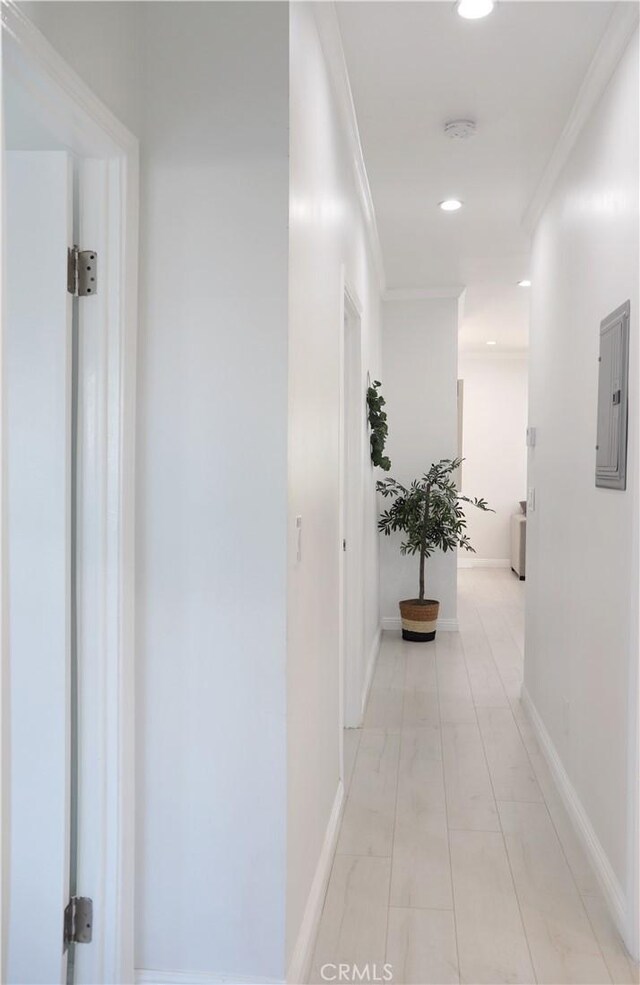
x=106, y=157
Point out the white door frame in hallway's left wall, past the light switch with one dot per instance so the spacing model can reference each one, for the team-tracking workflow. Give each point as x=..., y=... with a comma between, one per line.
x=350, y=309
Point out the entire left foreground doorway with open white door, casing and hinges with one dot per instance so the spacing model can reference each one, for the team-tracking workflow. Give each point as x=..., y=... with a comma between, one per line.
x=68, y=347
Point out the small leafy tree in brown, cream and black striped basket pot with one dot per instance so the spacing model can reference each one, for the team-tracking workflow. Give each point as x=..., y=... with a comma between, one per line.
x=430, y=515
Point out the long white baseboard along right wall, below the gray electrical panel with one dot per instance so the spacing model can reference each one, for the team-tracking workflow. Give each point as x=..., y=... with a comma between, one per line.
x=611, y=888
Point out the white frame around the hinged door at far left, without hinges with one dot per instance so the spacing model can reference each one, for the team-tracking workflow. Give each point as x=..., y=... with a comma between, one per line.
x=81, y=122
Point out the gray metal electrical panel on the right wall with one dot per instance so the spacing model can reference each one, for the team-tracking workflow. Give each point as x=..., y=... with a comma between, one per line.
x=613, y=376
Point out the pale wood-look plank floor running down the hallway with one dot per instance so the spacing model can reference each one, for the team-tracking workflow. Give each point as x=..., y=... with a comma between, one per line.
x=456, y=860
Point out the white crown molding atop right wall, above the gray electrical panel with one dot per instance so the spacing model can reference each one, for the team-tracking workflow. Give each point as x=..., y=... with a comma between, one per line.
x=620, y=27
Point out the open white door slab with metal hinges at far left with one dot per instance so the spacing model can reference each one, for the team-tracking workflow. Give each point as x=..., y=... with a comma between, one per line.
x=37, y=383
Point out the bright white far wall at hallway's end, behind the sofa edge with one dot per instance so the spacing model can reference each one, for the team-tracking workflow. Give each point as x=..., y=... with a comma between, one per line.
x=494, y=447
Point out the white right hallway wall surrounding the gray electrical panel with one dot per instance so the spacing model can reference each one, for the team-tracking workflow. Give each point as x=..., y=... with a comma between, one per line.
x=582, y=564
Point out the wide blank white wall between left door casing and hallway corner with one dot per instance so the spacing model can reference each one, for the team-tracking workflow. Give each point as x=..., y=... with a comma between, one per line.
x=205, y=86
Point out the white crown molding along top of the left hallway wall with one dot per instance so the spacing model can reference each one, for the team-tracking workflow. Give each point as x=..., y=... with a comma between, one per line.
x=331, y=41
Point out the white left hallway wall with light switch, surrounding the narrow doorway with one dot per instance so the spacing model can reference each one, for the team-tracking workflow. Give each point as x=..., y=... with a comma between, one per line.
x=327, y=235
